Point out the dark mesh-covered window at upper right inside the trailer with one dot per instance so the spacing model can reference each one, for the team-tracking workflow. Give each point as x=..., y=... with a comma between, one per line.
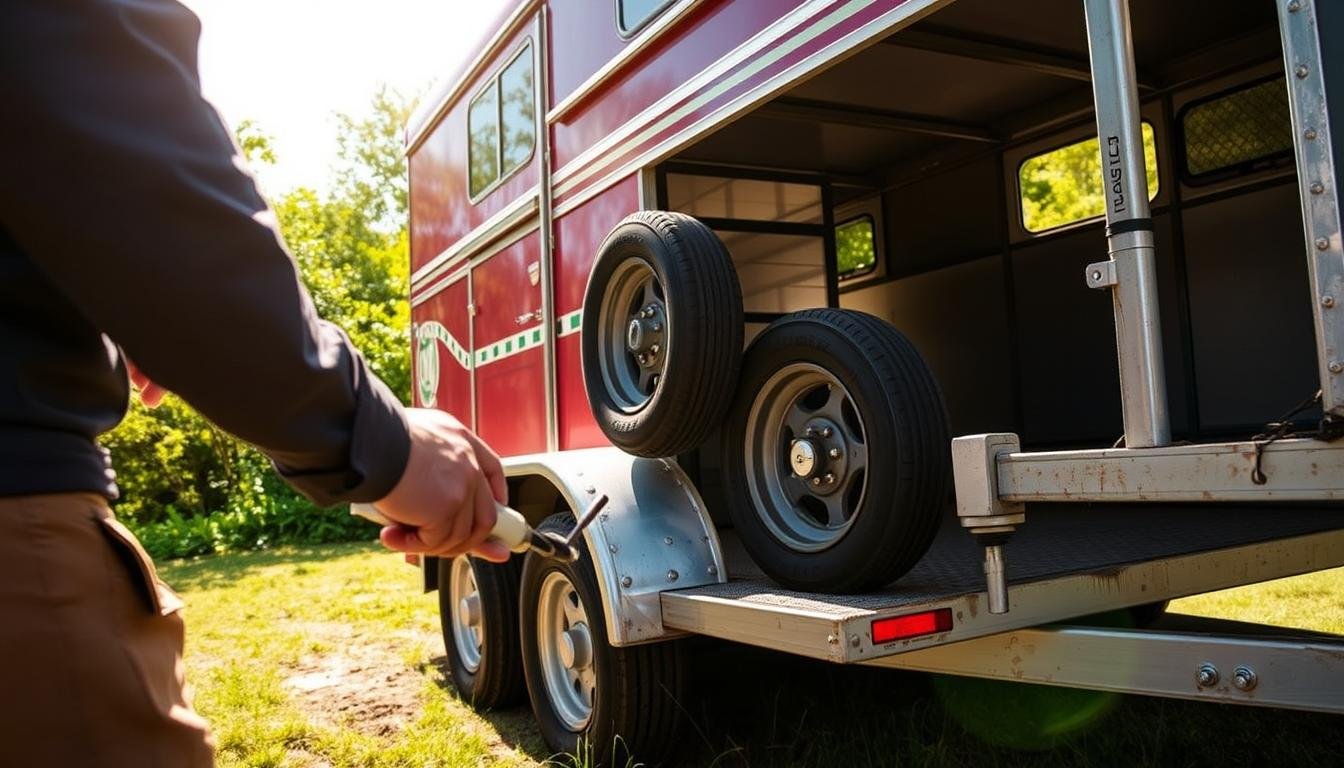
x=1236, y=130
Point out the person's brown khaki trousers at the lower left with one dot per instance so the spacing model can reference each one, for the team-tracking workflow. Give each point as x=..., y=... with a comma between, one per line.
x=91, y=645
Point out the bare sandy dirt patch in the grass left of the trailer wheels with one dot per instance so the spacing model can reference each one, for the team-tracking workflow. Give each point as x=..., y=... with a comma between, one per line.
x=361, y=685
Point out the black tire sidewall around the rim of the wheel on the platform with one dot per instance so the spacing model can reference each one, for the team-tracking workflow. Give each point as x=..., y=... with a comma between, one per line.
x=800, y=342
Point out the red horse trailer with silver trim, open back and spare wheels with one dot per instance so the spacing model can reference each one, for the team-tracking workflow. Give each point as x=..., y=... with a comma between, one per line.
x=894, y=333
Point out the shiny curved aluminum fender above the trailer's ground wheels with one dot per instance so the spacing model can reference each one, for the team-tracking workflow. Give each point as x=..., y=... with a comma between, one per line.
x=654, y=536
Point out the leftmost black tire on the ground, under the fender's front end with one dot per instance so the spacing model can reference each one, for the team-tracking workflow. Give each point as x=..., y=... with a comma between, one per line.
x=495, y=680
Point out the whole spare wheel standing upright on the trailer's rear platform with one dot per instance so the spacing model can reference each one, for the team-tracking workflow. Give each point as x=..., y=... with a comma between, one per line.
x=837, y=453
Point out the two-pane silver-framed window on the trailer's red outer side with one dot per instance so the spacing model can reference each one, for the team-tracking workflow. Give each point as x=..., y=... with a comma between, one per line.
x=502, y=126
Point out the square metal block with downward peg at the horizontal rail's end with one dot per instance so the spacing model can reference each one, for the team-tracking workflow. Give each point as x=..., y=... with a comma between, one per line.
x=990, y=520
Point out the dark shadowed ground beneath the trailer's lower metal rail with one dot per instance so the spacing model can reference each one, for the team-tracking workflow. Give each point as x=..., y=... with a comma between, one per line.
x=752, y=708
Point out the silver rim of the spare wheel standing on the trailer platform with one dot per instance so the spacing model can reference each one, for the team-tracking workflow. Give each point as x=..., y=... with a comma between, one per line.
x=807, y=458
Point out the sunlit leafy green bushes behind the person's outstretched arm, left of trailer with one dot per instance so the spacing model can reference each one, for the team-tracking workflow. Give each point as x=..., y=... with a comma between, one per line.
x=187, y=488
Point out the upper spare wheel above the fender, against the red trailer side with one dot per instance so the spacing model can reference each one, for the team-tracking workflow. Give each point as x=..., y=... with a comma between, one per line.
x=693, y=346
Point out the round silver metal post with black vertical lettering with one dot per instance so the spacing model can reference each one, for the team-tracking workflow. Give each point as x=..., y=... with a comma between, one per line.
x=1131, y=274
